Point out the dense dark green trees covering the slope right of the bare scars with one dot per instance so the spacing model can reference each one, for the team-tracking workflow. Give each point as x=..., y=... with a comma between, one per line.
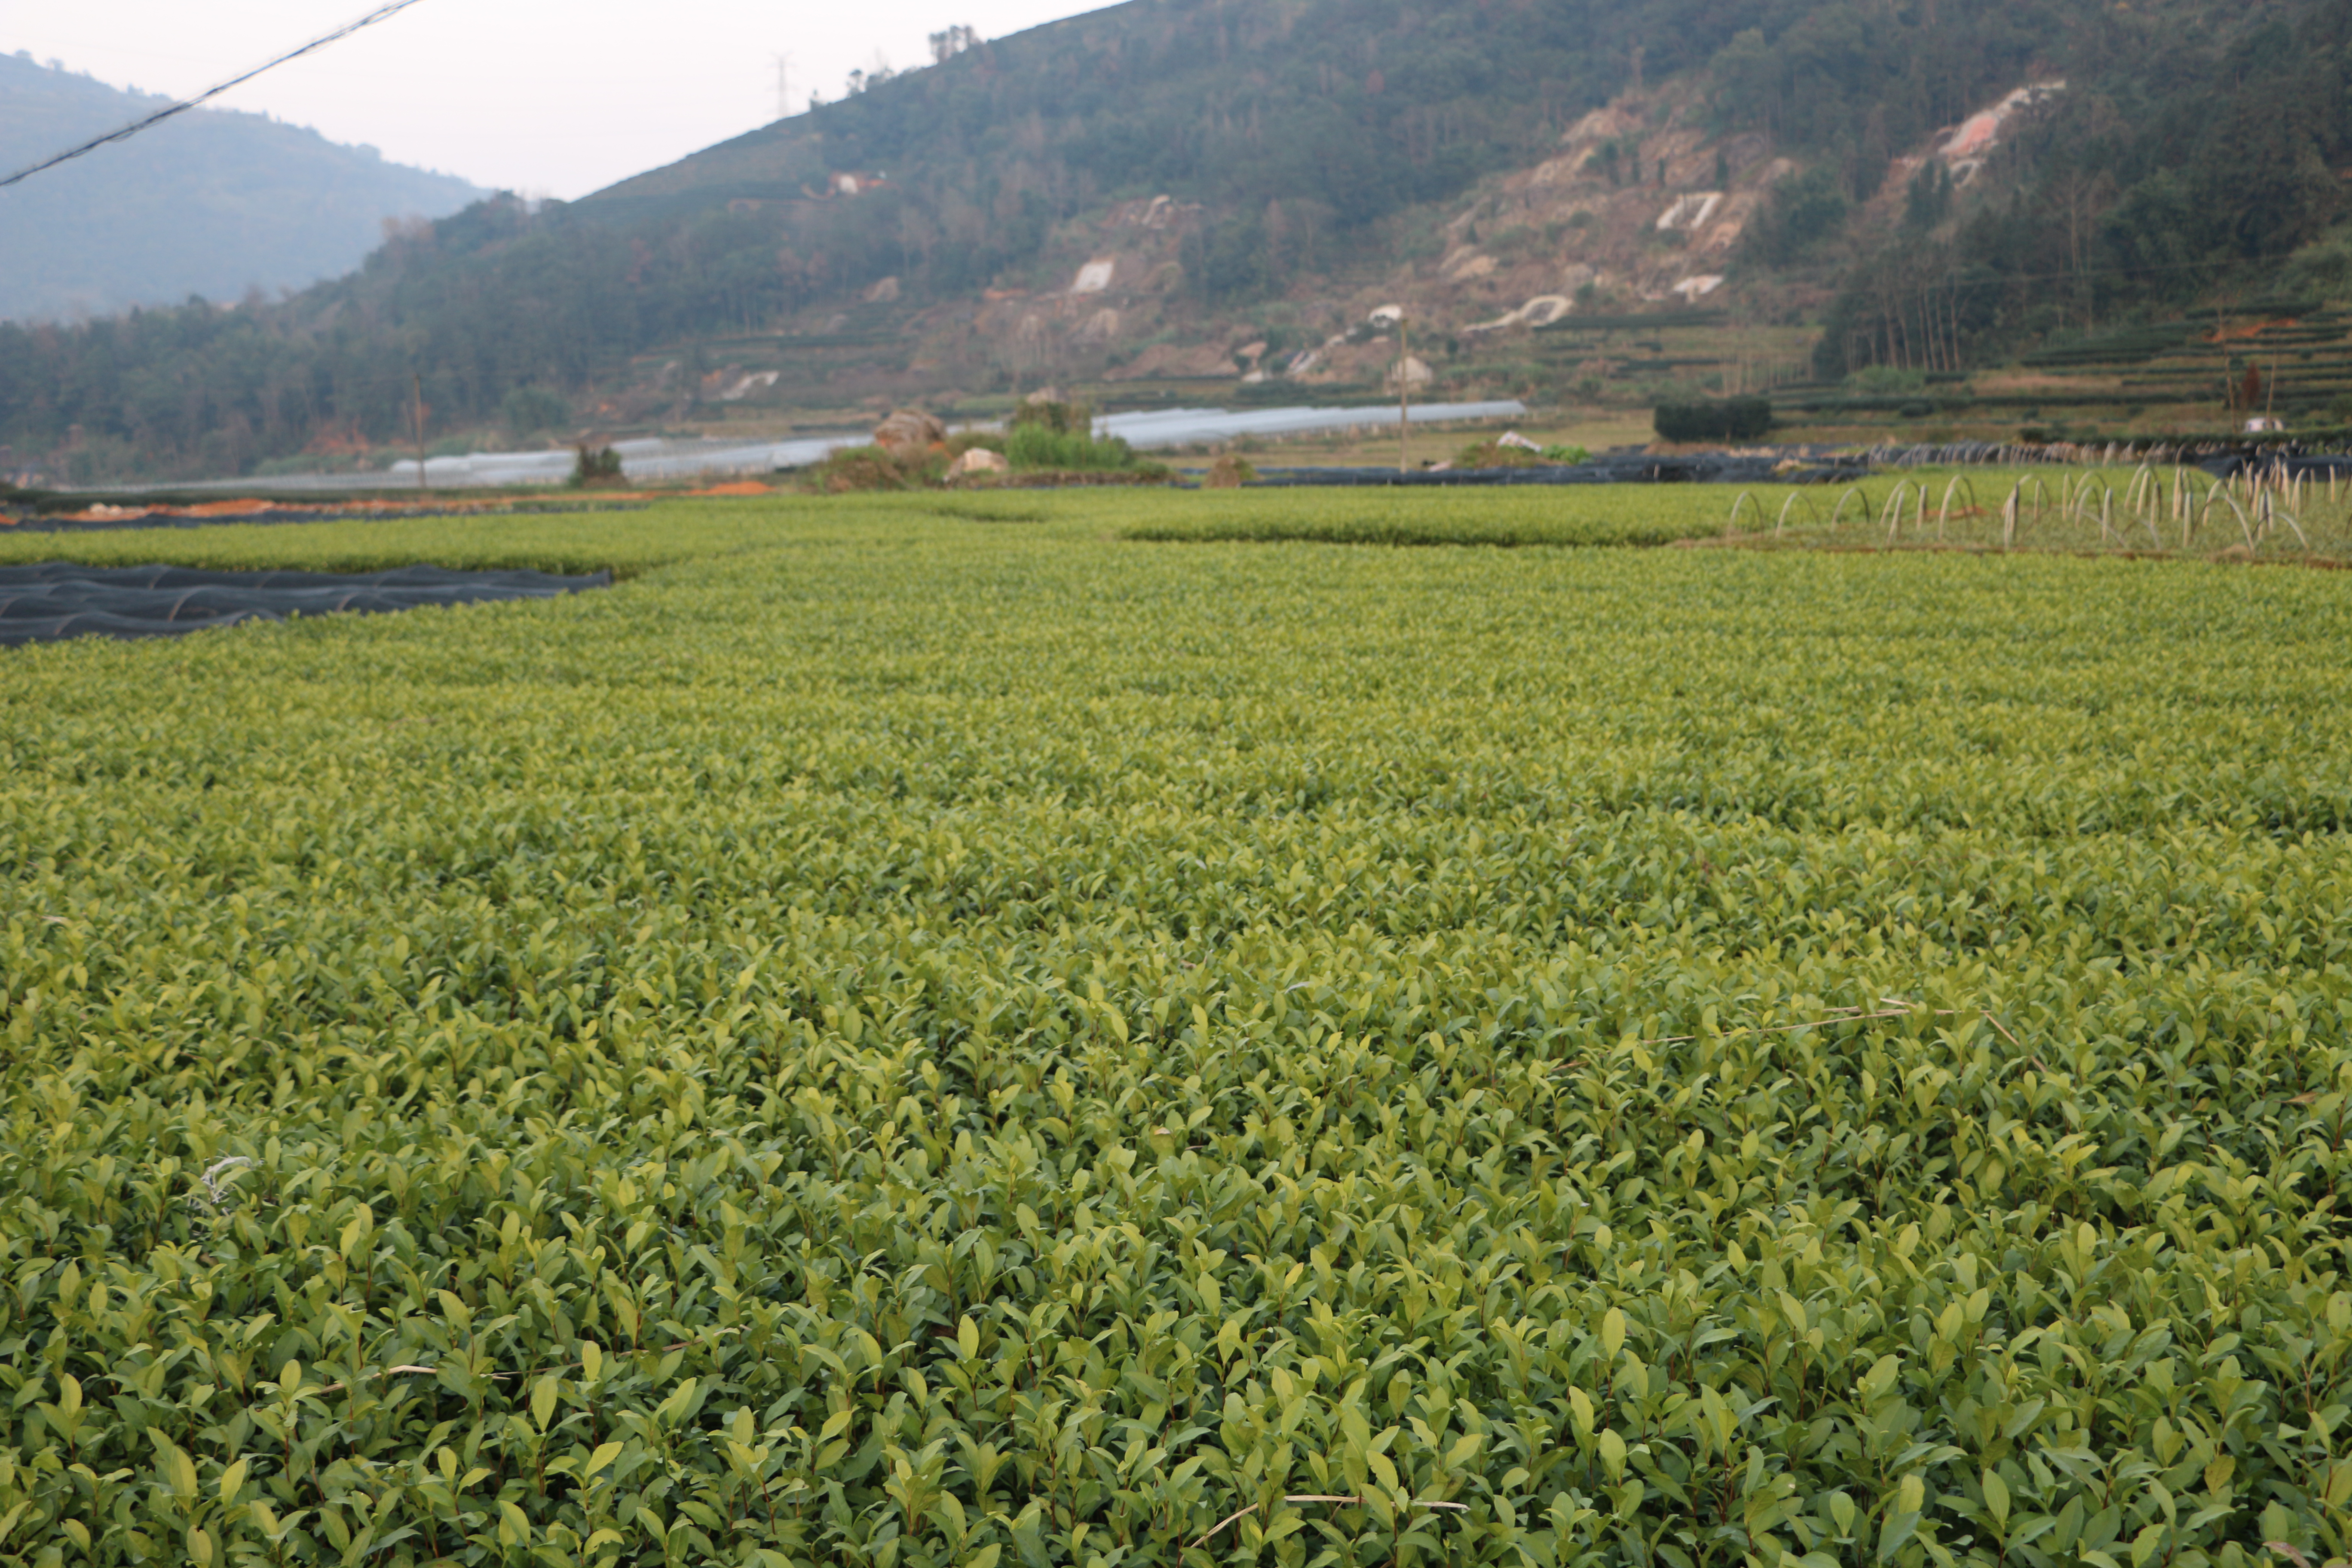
x=2193, y=156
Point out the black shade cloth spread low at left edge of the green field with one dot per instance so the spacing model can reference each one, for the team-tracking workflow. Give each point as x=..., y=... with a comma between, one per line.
x=67, y=601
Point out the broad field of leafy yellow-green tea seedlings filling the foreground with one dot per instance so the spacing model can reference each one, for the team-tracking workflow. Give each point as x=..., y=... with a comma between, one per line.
x=933, y=1043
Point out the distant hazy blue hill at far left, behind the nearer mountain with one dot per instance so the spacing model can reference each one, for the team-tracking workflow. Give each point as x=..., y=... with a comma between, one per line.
x=211, y=203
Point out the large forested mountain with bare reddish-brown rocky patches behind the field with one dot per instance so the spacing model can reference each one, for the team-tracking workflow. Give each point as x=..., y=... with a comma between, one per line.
x=1224, y=168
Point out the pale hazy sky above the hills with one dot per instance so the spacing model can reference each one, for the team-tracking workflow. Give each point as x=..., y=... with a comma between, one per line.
x=549, y=98
